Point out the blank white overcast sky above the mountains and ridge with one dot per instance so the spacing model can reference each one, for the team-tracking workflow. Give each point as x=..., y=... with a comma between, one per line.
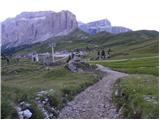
x=134, y=14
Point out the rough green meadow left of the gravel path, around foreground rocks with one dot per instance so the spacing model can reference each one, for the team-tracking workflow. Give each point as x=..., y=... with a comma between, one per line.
x=23, y=80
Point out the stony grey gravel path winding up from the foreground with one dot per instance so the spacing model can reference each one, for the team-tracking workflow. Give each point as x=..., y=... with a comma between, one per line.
x=96, y=101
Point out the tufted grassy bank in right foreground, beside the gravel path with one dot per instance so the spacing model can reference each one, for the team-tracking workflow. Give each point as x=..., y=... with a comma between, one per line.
x=133, y=90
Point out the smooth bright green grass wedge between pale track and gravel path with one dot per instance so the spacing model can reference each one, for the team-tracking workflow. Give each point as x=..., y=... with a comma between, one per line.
x=133, y=66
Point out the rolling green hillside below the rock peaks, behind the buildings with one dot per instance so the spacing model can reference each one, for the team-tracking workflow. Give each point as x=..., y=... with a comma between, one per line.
x=124, y=45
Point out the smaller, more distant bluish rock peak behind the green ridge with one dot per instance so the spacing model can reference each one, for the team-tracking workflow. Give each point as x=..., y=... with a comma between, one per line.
x=101, y=25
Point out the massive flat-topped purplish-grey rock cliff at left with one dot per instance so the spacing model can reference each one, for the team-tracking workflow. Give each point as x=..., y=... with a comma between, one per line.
x=32, y=27
